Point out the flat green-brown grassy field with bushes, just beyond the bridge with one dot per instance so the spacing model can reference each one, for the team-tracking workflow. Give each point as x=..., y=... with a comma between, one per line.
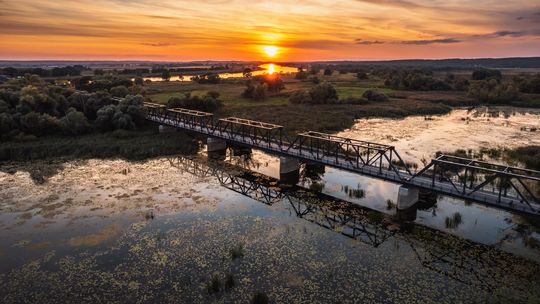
x=325, y=118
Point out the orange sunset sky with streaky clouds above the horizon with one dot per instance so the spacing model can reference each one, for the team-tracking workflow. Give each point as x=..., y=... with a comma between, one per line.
x=301, y=30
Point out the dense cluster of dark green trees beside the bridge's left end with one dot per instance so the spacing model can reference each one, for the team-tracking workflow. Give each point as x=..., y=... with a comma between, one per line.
x=30, y=106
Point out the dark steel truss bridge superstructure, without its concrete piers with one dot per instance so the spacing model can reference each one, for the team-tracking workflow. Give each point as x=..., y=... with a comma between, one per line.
x=491, y=184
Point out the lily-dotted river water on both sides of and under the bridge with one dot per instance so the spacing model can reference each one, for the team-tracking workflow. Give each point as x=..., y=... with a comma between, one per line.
x=165, y=229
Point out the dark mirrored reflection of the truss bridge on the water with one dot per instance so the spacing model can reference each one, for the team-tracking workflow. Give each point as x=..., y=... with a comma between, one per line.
x=459, y=259
